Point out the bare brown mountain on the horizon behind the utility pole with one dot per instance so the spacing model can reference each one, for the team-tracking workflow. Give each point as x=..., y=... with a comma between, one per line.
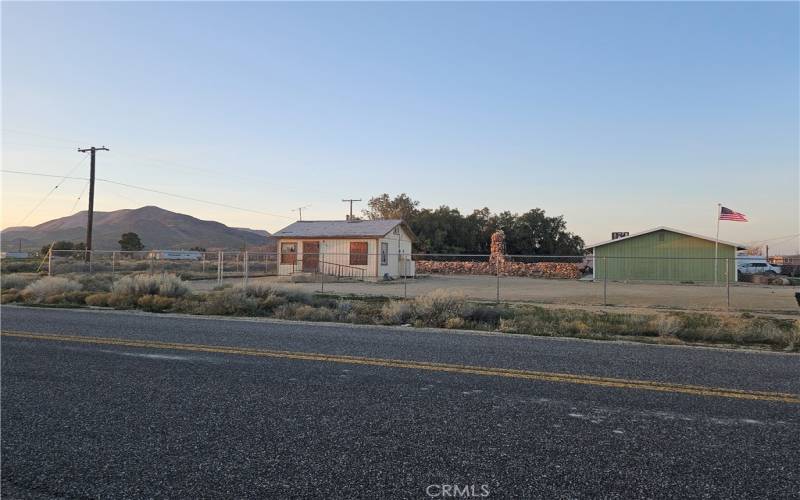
x=156, y=227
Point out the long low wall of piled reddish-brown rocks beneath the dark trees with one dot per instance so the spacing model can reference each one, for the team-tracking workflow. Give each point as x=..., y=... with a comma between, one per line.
x=563, y=270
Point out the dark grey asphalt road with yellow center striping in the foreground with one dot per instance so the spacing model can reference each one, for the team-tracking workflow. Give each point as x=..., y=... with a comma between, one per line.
x=112, y=405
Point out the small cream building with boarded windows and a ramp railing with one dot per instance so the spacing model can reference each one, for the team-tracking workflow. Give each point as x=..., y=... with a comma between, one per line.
x=358, y=249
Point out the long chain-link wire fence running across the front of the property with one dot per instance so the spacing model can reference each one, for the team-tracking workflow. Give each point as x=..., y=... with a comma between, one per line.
x=678, y=282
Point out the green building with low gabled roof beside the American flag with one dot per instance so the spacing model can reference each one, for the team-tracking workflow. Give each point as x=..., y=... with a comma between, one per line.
x=664, y=254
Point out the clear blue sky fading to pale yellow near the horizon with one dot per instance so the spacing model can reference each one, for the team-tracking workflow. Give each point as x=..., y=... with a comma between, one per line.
x=618, y=116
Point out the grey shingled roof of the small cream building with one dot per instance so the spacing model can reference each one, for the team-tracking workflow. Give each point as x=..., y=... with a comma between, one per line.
x=342, y=228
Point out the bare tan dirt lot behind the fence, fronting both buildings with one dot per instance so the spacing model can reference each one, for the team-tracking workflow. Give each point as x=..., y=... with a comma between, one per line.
x=744, y=297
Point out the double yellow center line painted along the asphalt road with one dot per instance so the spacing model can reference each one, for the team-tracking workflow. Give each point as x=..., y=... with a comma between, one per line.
x=647, y=385
